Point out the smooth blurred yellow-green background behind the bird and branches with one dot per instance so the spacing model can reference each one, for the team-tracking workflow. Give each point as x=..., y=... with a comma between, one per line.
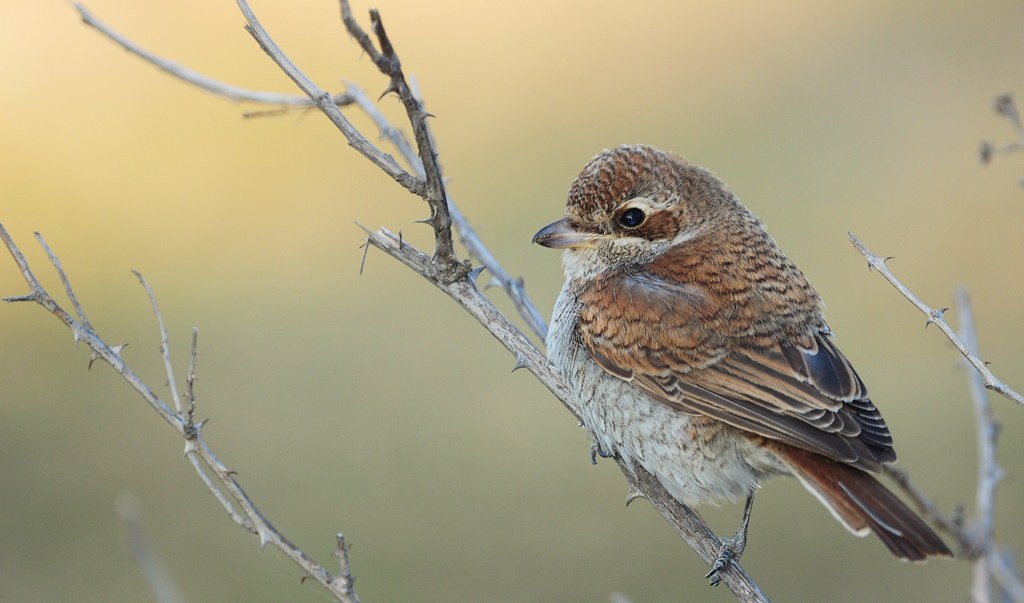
x=372, y=405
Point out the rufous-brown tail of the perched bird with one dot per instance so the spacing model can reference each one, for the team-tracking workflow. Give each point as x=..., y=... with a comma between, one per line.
x=864, y=505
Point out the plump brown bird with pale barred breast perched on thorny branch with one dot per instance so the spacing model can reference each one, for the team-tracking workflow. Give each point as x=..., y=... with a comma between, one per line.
x=701, y=353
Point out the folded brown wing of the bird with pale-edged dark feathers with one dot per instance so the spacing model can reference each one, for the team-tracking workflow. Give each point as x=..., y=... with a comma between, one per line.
x=673, y=340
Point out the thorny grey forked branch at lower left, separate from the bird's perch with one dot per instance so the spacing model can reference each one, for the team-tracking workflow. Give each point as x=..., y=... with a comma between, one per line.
x=223, y=484
